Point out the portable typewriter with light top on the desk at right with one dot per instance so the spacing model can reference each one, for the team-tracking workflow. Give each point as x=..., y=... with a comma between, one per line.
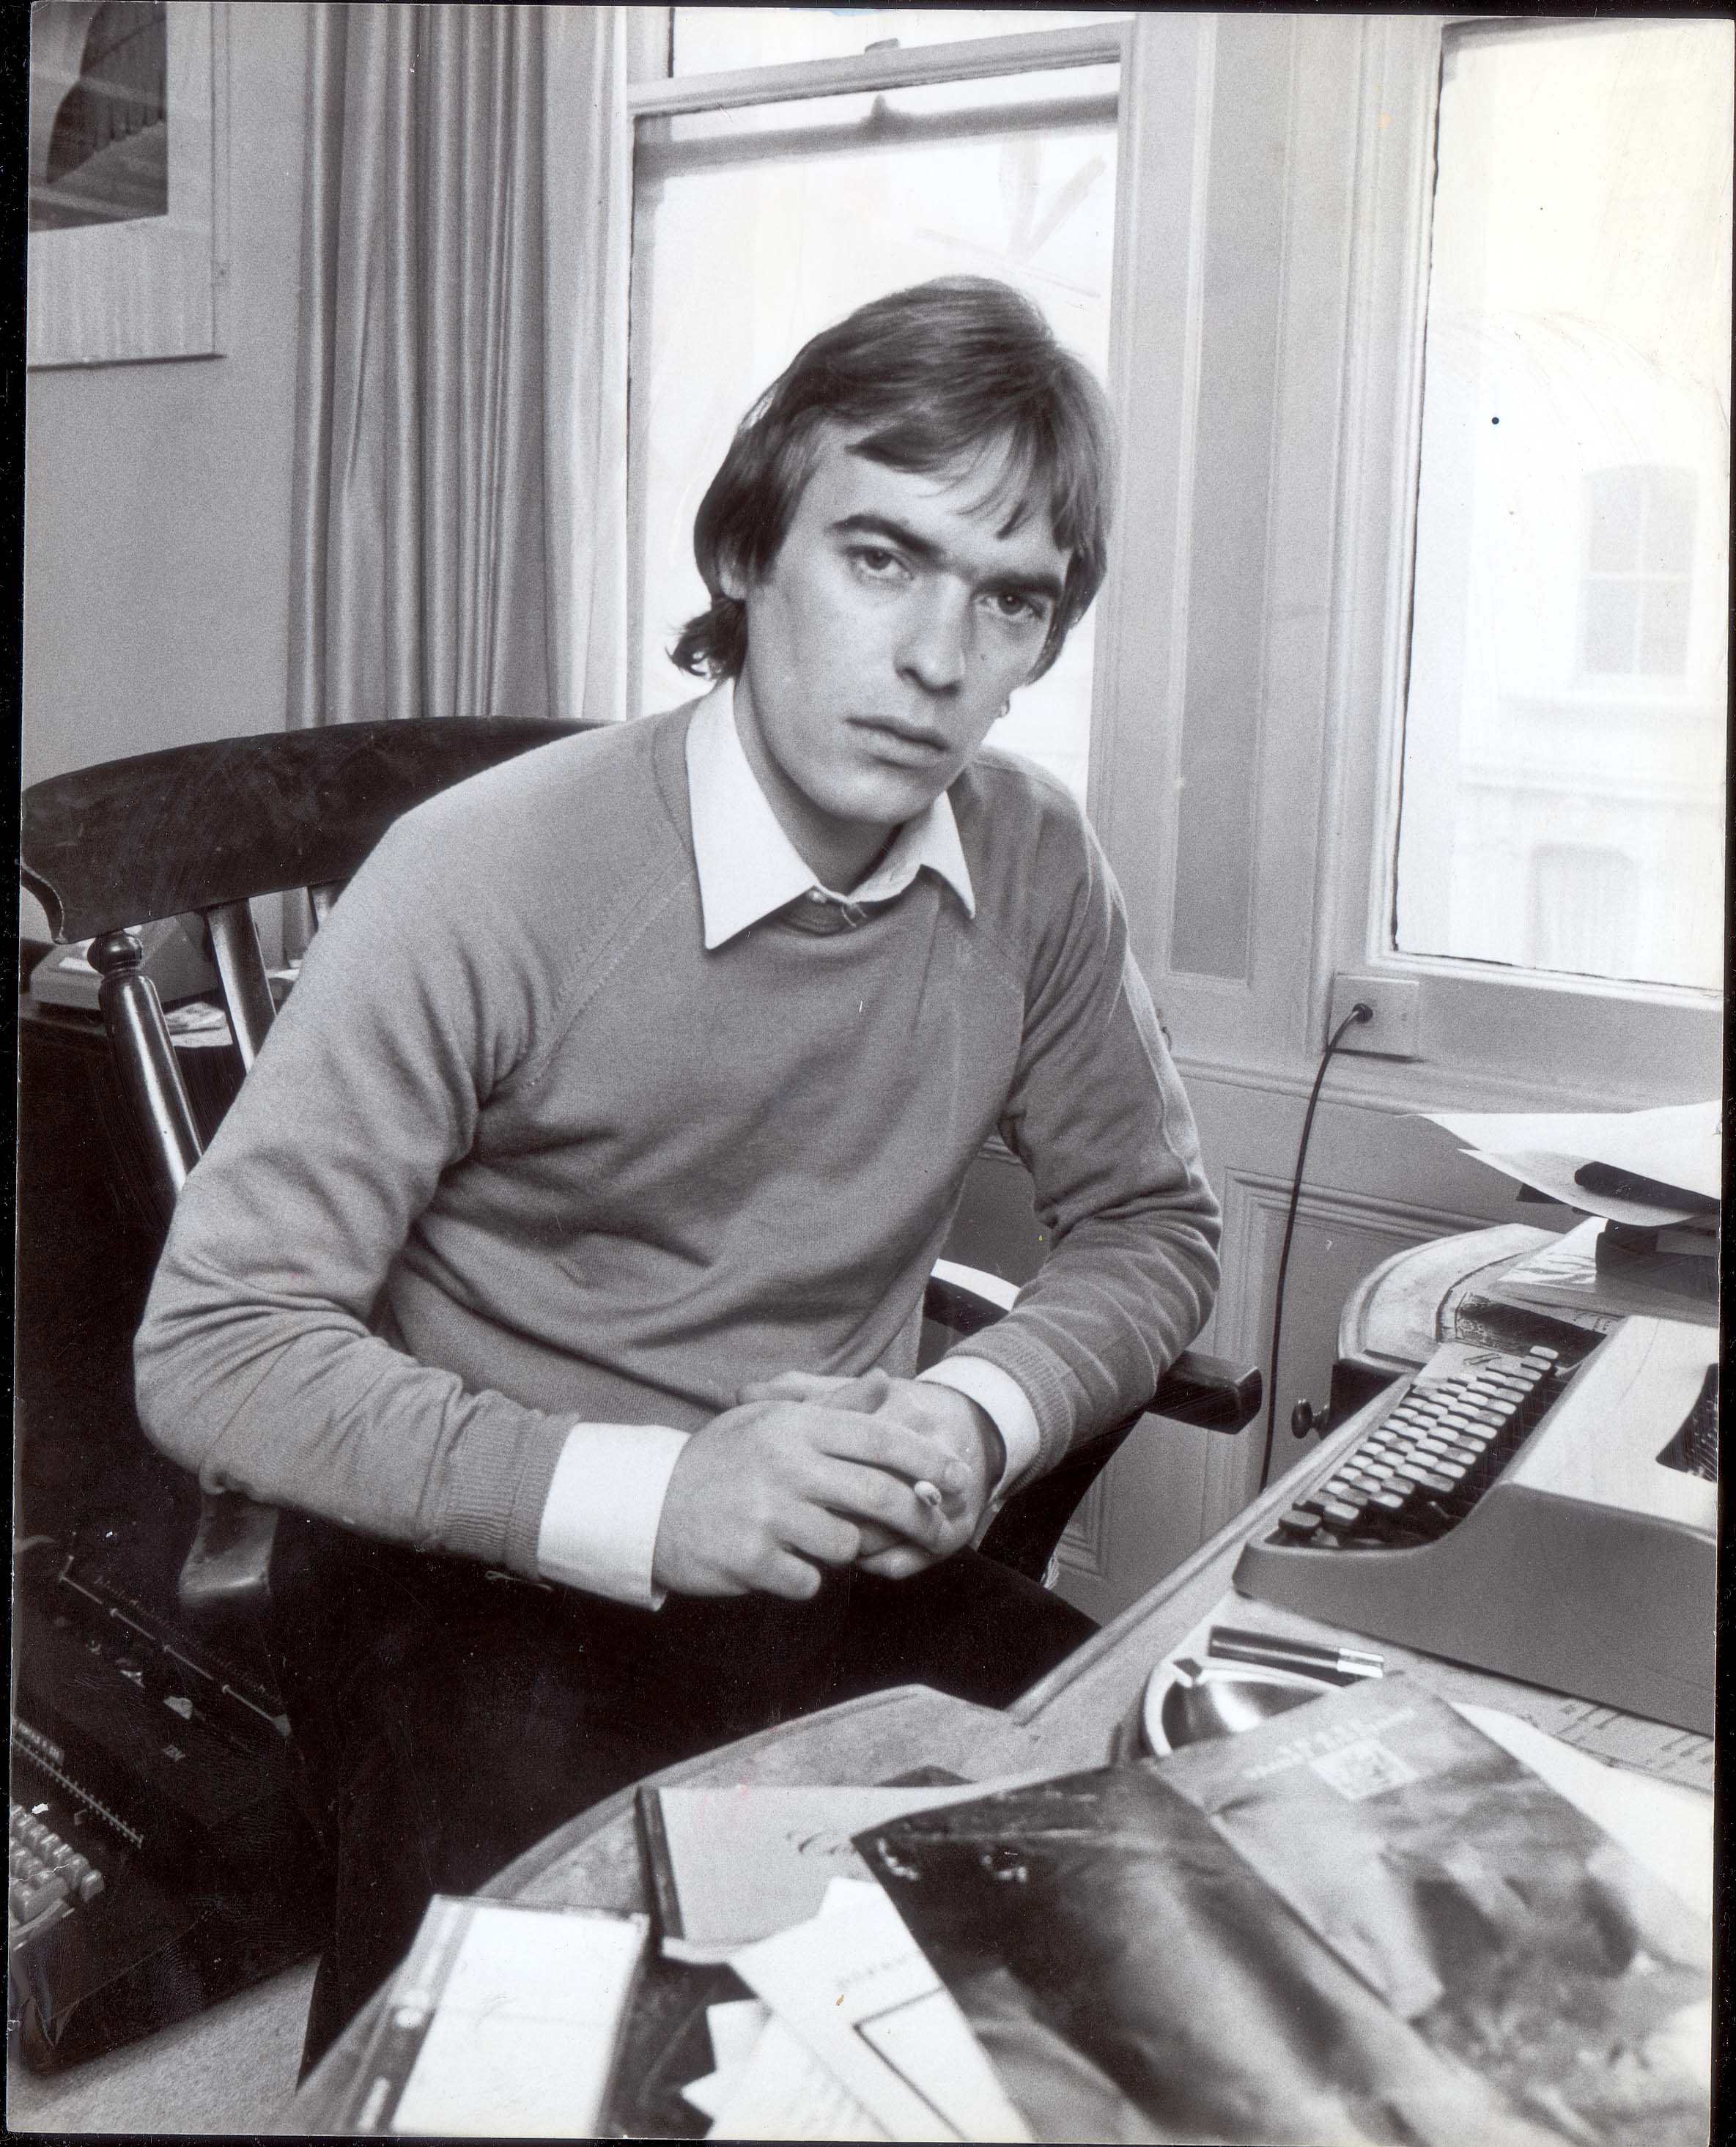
x=1550, y=1523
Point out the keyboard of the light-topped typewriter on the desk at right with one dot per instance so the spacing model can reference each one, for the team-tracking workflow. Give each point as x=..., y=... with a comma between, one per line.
x=1428, y=1461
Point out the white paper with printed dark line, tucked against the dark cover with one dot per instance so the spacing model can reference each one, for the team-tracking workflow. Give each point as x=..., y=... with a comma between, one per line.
x=864, y=1998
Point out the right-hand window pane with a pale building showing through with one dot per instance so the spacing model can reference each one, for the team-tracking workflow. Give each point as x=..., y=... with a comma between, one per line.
x=1563, y=755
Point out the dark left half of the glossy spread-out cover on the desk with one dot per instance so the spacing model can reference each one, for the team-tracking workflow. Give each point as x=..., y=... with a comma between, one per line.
x=1132, y=1978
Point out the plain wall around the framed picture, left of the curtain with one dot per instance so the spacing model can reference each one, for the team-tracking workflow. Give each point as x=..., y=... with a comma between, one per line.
x=158, y=497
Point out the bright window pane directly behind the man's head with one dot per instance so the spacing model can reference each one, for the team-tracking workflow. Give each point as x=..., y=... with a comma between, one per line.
x=756, y=229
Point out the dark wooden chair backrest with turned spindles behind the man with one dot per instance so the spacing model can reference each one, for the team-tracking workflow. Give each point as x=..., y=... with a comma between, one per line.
x=201, y=830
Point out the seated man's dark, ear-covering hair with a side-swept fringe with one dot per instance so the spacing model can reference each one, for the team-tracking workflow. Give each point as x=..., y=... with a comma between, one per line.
x=924, y=381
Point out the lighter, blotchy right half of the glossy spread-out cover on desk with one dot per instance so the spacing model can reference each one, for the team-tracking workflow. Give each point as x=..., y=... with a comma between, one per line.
x=1482, y=1905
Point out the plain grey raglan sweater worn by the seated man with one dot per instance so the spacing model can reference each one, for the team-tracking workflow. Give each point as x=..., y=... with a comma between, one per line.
x=520, y=1152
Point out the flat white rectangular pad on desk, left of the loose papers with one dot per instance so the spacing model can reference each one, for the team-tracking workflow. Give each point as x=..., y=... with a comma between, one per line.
x=503, y=2024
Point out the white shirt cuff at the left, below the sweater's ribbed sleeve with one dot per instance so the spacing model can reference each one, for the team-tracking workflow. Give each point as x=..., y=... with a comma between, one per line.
x=606, y=1500
